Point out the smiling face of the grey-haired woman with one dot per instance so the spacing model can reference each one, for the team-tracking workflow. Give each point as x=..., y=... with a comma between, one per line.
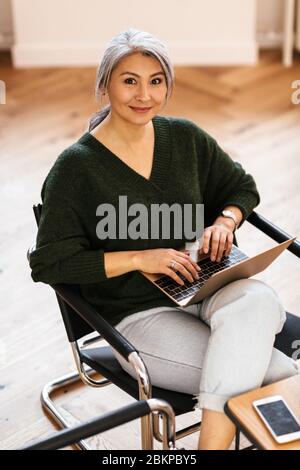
x=137, y=82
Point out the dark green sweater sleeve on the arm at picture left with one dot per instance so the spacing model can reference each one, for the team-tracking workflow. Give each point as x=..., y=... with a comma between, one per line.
x=63, y=253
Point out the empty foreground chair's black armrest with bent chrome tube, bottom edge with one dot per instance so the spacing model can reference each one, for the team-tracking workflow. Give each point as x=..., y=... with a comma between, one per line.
x=108, y=421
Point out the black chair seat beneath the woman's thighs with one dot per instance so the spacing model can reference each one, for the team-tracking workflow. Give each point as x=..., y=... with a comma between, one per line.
x=102, y=360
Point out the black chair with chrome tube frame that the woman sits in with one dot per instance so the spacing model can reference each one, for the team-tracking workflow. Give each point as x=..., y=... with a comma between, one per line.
x=81, y=318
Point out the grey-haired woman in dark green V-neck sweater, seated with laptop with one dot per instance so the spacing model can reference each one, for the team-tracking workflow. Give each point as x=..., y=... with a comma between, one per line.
x=218, y=348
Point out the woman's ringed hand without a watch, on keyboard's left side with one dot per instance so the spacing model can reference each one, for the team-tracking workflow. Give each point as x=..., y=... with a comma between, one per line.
x=160, y=260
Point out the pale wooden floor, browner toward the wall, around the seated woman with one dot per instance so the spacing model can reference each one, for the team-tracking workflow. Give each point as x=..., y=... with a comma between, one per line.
x=247, y=109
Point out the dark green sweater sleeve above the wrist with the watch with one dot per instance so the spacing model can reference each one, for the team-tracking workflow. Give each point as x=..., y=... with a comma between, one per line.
x=227, y=183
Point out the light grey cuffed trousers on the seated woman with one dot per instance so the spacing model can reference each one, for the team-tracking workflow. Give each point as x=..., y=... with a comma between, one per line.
x=218, y=348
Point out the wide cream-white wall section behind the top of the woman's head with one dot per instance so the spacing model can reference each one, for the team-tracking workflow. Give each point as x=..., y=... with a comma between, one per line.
x=76, y=32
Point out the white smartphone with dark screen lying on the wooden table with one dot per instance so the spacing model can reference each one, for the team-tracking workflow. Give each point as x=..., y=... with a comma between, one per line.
x=279, y=418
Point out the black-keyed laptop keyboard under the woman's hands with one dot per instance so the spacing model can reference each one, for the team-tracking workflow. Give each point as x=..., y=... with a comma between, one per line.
x=208, y=268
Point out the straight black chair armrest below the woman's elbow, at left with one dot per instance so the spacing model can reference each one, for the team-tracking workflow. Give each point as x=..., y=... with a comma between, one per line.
x=94, y=319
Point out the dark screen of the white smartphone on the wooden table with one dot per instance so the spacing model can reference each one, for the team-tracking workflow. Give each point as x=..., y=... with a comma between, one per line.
x=279, y=417
